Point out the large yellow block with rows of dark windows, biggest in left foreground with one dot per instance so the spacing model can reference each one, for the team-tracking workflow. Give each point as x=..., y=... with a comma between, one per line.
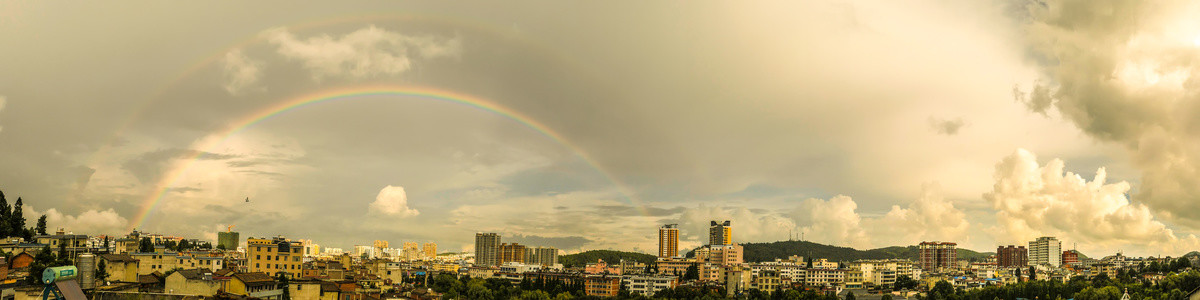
x=274, y=256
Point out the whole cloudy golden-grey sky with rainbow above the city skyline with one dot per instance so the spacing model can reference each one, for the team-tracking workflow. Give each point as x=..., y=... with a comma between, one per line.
x=589, y=125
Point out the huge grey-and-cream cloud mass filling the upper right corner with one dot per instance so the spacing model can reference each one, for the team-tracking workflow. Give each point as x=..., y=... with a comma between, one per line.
x=1126, y=73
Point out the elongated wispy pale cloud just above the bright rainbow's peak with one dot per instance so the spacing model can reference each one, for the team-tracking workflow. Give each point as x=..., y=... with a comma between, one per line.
x=365, y=53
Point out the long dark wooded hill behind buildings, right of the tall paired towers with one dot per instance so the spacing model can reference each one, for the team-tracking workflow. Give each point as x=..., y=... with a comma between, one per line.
x=770, y=251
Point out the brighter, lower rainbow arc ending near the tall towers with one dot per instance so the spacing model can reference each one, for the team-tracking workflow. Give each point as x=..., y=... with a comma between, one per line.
x=405, y=93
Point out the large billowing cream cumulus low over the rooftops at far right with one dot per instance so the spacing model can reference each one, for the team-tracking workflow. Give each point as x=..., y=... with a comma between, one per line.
x=1034, y=201
